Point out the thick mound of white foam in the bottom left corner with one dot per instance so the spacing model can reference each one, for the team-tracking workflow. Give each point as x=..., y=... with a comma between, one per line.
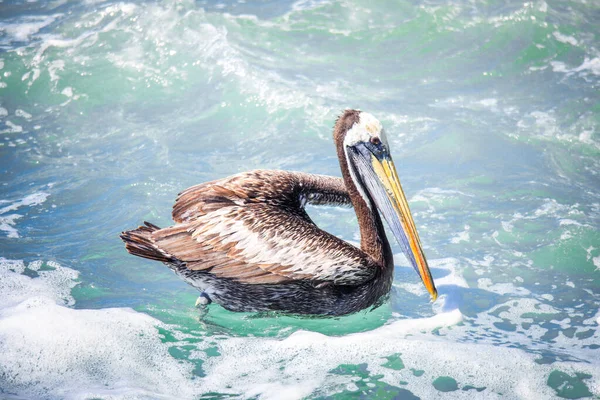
x=49, y=350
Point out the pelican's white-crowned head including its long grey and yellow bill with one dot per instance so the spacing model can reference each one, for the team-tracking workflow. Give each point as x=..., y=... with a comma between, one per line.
x=374, y=174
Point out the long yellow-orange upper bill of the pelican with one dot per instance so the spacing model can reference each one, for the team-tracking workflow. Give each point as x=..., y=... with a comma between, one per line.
x=408, y=236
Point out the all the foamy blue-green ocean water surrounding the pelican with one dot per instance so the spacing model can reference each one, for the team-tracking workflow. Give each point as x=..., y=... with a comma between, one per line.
x=492, y=107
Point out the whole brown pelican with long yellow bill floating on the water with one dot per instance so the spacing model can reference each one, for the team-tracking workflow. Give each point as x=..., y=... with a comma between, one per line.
x=248, y=244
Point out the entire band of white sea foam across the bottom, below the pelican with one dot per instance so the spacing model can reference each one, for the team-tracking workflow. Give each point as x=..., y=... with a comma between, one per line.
x=117, y=353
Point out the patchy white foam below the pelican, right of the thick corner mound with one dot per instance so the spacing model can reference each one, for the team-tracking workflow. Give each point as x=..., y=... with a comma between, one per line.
x=303, y=362
